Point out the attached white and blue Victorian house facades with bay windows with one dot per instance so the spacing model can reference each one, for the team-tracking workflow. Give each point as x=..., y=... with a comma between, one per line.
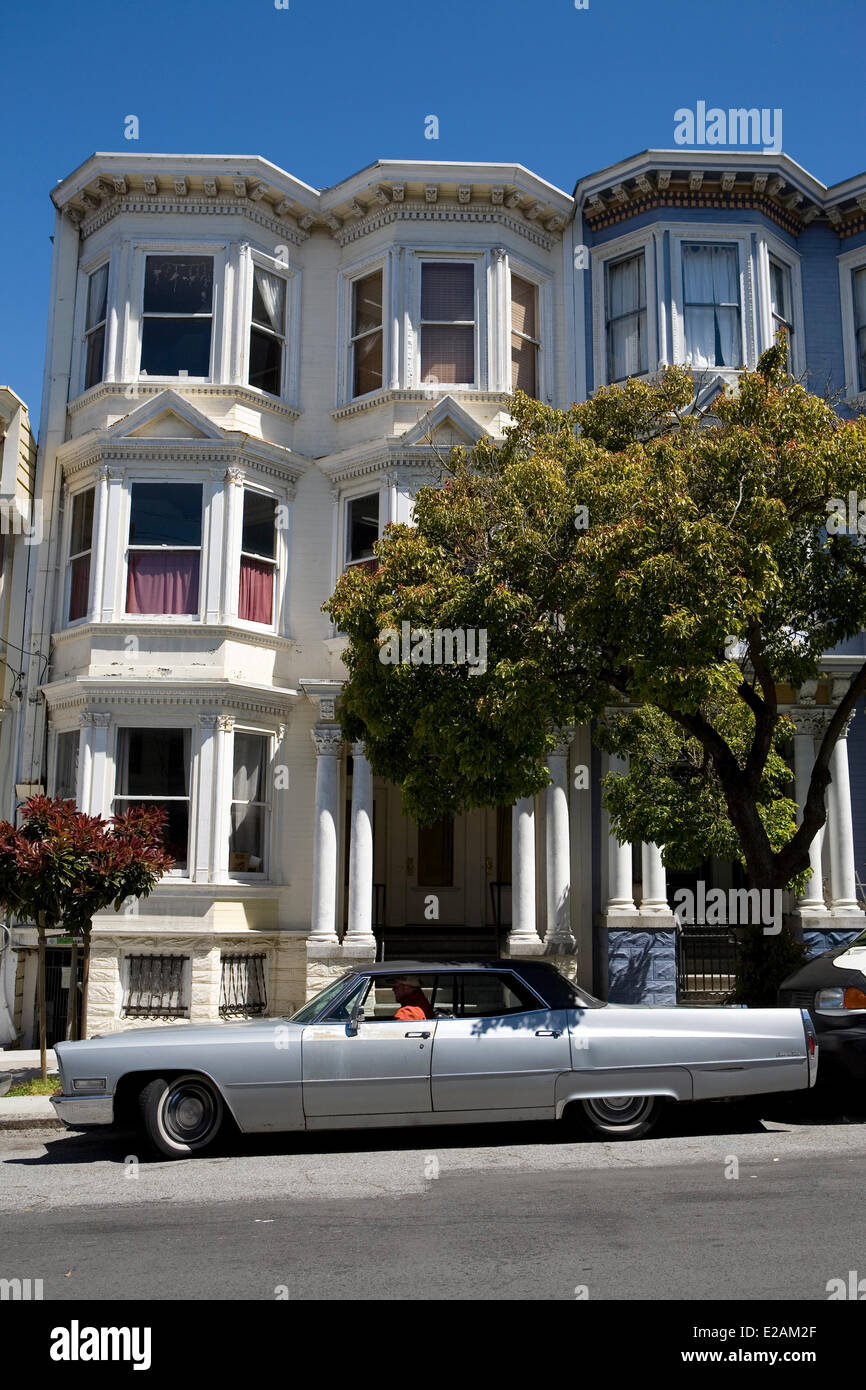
x=247, y=380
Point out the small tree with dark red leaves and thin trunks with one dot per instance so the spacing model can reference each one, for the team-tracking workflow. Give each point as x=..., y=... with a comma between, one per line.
x=62, y=867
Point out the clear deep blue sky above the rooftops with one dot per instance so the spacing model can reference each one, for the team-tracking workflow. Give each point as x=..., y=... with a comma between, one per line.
x=327, y=87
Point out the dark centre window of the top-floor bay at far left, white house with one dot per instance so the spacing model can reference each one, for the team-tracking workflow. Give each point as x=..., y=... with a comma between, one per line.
x=177, y=316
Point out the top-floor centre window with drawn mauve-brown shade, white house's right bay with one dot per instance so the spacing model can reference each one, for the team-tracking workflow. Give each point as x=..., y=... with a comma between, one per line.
x=448, y=323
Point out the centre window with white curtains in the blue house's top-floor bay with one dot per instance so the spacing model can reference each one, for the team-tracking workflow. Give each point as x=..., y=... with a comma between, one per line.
x=711, y=300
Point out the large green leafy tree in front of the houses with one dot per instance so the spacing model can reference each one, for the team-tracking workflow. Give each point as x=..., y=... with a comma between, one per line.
x=637, y=554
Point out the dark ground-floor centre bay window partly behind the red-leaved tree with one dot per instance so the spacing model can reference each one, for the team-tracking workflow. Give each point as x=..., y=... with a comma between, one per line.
x=152, y=769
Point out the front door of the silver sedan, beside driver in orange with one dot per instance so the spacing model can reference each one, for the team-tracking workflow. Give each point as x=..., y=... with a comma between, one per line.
x=383, y=1068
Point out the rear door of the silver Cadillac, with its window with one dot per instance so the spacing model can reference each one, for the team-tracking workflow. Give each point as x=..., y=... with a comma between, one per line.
x=501, y=1052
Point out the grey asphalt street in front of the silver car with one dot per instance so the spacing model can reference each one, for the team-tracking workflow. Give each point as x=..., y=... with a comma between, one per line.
x=722, y=1207
